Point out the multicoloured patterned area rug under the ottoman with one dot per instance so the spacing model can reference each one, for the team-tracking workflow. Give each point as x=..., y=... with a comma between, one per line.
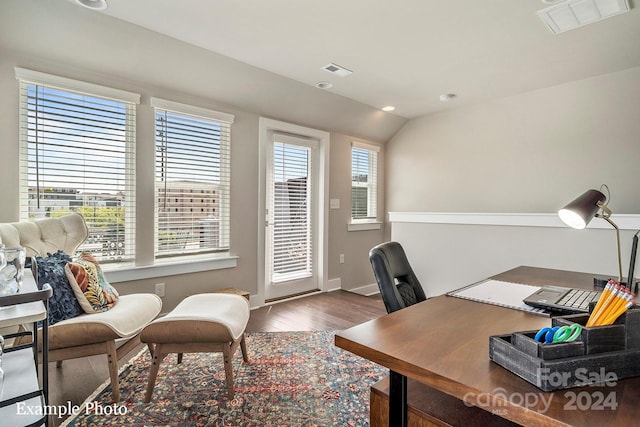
x=292, y=379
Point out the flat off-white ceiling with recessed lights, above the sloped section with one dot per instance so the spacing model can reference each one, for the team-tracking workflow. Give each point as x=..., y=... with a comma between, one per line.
x=402, y=53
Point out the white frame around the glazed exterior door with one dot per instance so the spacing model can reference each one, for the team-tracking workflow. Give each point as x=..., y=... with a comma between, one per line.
x=266, y=128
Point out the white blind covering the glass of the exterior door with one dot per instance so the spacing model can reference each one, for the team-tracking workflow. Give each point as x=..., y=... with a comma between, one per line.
x=290, y=213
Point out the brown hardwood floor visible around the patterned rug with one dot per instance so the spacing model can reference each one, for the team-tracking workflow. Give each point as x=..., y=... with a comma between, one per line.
x=78, y=378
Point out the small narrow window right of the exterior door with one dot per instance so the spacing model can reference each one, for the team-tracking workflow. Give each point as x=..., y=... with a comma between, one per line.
x=364, y=182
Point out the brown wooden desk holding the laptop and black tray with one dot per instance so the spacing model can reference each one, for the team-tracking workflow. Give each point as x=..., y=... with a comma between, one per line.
x=444, y=343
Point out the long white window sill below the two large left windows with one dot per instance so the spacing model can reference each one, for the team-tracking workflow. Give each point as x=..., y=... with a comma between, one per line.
x=126, y=272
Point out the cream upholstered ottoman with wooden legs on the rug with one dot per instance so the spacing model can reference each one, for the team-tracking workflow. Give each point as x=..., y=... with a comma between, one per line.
x=201, y=323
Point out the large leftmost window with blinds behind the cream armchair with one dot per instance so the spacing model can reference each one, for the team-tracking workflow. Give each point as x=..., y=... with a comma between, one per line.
x=77, y=154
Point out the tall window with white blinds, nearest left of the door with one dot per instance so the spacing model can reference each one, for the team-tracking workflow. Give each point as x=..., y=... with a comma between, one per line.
x=192, y=179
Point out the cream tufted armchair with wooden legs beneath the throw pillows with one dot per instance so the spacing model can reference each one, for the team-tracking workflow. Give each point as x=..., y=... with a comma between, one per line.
x=114, y=332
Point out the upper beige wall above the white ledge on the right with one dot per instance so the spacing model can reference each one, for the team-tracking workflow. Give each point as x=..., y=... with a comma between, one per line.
x=528, y=153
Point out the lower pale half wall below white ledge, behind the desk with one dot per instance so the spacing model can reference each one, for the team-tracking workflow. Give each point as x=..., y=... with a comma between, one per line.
x=449, y=256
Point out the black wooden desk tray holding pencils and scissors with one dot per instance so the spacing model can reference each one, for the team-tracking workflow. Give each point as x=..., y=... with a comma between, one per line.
x=600, y=354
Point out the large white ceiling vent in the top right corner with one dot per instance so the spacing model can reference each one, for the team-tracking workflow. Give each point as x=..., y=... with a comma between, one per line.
x=576, y=13
